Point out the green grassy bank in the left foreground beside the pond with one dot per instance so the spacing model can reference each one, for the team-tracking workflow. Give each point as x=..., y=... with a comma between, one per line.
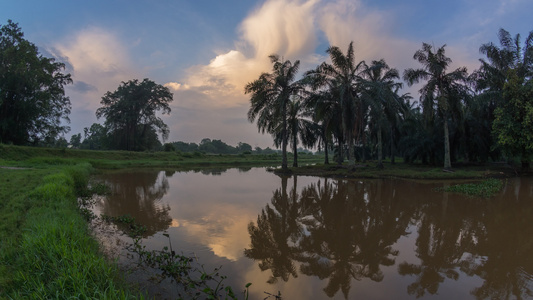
x=46, y=250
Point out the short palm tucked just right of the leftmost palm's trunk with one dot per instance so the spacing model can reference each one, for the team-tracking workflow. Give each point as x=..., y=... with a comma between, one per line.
x=300, y=128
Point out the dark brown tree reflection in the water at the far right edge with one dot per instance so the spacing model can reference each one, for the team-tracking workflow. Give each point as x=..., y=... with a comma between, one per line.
x=505, y=246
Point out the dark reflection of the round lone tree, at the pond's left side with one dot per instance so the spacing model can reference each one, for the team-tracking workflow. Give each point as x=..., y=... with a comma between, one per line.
x=138, y=195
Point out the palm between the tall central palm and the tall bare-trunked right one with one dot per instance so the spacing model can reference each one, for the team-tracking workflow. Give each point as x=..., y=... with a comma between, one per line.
x=379, y=89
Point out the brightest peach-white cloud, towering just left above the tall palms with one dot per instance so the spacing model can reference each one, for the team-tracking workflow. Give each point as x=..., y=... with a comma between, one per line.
x=277, y=27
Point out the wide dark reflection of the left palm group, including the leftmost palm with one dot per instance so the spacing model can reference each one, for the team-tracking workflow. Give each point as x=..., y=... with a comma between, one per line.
x=343, y=237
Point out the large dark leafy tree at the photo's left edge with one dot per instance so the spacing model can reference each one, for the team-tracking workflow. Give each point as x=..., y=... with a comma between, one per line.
x=32, y=97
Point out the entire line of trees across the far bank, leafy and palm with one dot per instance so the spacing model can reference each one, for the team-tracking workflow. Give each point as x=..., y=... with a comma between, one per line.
x=346, y=108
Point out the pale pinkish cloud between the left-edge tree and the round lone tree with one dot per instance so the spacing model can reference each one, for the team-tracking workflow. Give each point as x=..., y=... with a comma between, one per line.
x=98, y=62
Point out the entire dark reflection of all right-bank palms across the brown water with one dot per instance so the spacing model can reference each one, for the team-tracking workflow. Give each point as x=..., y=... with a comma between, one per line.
x=342, y=230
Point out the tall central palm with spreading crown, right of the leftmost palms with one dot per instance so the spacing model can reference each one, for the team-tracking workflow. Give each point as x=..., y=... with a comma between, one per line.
x=342, y=75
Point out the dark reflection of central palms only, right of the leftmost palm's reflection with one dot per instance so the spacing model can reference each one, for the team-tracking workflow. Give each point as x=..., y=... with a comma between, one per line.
x=352, y=236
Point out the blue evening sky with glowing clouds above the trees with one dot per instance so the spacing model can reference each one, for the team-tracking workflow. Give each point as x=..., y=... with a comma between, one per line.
x=206, y=51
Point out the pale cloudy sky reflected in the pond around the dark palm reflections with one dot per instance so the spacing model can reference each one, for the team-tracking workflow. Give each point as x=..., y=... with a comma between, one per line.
x=210, y=216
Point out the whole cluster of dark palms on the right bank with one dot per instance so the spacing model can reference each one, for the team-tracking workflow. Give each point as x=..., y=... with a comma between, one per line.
x=352, y=106
